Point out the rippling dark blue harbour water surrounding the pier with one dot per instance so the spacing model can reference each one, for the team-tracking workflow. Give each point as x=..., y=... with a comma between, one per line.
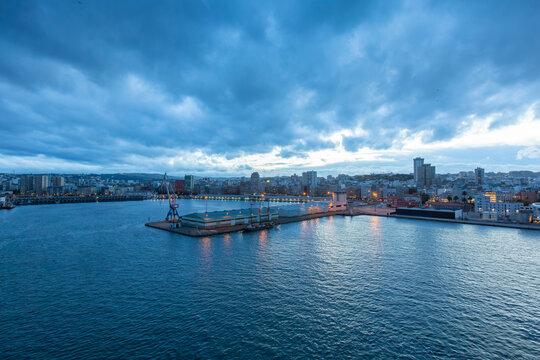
x=90, y=281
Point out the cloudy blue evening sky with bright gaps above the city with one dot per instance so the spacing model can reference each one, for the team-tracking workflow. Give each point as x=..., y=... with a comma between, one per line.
x=225, y=88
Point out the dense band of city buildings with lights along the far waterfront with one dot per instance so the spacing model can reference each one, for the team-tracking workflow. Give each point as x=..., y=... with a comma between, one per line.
x=506, y=192
